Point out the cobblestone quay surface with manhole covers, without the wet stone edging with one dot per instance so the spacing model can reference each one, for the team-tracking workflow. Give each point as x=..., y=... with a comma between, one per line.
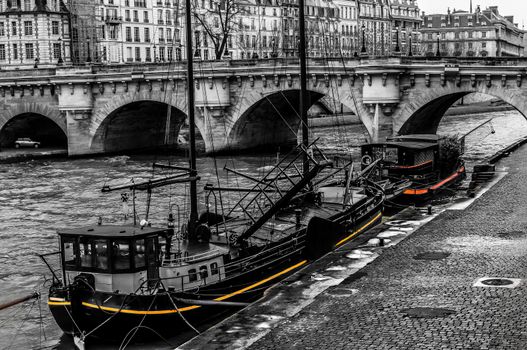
x=488, y=239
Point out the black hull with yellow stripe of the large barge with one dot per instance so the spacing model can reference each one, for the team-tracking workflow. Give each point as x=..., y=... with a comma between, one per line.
x=113, y=317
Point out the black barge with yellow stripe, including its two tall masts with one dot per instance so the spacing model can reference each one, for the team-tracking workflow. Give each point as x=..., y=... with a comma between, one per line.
x=129, y=282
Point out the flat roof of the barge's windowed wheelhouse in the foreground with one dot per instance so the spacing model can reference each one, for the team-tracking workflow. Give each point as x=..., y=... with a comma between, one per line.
x=109, y=231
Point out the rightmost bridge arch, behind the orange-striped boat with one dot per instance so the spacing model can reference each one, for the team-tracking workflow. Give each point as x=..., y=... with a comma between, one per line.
x=427, y=107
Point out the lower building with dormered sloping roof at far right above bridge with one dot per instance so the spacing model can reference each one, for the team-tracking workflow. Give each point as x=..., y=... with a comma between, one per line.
x=472, y=33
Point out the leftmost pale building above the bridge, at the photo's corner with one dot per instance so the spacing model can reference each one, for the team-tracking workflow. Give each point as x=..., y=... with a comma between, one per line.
x=34, y=33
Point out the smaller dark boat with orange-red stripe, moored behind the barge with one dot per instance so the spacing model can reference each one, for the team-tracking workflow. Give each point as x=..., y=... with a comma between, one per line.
x=416, y=159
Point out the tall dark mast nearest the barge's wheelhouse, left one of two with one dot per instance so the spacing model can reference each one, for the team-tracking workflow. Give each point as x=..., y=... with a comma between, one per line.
x=191, y=121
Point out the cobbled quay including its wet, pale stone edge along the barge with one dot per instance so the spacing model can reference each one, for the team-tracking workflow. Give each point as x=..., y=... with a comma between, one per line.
x=422, y=291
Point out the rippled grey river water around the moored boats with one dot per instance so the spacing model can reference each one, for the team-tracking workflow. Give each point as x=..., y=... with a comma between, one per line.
x=37, y=197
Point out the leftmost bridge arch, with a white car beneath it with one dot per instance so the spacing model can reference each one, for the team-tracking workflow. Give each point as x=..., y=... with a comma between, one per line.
x=37, y=121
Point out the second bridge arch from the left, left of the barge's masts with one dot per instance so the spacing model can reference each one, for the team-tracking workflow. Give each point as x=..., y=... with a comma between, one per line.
x=137, y=122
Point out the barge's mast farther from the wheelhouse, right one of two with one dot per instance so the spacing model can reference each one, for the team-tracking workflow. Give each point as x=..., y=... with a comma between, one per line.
x=303, y=84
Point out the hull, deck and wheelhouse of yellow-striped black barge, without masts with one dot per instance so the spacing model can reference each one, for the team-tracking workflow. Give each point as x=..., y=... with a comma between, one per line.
x=119, y=282
